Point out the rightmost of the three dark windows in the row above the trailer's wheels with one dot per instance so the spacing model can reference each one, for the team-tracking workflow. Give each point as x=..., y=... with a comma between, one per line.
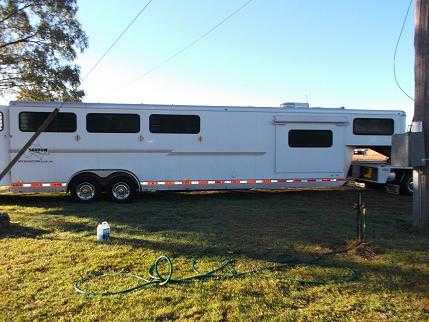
x=174, y=124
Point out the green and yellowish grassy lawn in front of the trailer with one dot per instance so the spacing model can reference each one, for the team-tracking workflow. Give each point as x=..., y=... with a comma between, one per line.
x=52, y=243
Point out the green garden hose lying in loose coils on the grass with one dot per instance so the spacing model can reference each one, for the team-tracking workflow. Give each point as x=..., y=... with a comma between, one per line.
x=227, y=267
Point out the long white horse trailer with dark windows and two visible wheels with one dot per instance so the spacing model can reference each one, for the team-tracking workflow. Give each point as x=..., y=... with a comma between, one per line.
x=122, y=149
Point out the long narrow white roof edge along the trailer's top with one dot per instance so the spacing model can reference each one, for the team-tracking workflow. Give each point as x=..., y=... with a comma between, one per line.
x=201, y=107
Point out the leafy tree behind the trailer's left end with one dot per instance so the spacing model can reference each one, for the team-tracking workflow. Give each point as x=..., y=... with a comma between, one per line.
x=39, y=40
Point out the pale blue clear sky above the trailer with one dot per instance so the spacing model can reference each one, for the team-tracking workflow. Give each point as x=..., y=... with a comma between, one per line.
x=331, y=53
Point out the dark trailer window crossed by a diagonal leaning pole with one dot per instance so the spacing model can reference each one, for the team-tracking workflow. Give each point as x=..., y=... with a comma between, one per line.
x=31, y=121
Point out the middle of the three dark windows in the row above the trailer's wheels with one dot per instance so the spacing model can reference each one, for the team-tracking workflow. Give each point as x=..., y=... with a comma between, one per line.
x=112, y=123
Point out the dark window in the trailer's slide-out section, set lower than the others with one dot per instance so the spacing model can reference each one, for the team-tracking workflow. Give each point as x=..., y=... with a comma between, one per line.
x=310, y=138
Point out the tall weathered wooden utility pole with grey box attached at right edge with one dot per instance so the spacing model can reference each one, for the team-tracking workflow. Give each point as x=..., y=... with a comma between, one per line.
x=421, y=111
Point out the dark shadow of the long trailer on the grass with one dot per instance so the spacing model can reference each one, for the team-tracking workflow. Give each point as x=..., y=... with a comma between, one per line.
x=269, y=220
